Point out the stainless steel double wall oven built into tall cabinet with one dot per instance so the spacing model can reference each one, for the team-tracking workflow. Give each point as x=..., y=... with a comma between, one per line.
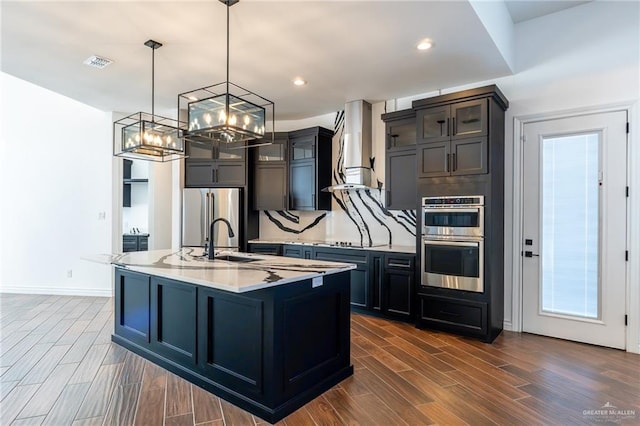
x=453, y=242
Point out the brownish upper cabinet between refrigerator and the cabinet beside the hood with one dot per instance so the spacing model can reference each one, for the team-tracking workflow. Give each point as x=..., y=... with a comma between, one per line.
x=270, y=191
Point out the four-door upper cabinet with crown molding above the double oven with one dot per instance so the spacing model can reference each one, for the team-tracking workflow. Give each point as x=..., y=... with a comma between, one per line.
x=454, y=132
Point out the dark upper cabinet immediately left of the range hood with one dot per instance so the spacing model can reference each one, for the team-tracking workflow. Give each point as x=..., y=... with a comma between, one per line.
x=310, y=165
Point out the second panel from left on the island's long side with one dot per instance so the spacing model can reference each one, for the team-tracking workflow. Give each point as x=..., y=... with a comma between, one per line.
x=173, y=320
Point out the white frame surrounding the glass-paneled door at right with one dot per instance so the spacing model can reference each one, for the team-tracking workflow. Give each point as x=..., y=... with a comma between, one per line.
x=632, y=284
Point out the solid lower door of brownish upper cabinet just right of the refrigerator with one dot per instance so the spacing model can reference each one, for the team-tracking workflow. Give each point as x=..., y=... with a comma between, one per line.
x=270, y=187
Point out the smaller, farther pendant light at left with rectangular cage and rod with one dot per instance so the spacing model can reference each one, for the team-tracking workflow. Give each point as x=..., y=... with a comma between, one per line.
x=144, y=136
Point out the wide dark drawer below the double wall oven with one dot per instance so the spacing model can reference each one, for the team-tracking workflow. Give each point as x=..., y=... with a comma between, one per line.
x=455, y=313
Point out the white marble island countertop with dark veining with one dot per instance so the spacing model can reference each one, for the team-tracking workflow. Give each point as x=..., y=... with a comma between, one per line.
x=189, y=266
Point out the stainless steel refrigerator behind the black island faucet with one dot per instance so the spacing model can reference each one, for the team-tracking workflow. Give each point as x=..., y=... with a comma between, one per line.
x=200, y=206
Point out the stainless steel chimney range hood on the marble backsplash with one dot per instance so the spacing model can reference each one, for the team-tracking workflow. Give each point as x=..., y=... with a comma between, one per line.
x=357, y=148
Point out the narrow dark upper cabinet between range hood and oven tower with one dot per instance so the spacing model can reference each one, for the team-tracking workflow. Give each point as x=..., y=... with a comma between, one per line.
x=400, y=160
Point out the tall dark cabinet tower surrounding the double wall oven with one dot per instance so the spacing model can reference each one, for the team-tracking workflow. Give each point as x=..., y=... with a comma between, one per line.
x=460, y=151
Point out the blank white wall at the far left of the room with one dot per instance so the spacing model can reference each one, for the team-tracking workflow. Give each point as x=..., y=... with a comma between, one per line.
x=56, y=189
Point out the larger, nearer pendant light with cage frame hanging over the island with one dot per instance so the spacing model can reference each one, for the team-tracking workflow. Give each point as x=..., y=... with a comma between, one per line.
x=227, y=113
